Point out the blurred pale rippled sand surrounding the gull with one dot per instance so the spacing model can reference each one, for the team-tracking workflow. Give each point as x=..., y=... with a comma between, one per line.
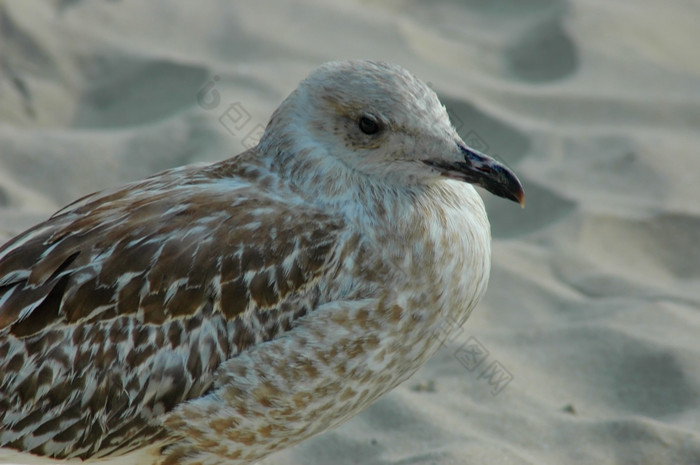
x=586, y=349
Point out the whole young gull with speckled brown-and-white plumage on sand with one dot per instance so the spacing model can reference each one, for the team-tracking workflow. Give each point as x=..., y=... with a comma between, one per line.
x=216, y=314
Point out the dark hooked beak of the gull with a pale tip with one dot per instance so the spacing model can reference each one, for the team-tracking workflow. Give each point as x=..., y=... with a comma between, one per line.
x=483, y=171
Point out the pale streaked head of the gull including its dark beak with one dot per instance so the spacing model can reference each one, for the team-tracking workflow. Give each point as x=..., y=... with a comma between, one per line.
x=381, y=121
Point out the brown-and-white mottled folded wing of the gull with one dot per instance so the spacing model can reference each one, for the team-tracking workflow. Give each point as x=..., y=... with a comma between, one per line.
x=120, y=307
